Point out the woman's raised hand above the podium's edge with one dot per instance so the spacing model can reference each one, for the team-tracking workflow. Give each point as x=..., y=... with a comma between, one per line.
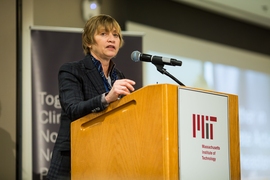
x=120, y=87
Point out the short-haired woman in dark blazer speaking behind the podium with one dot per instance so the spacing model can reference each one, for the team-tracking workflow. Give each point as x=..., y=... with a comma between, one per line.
x=88, y=85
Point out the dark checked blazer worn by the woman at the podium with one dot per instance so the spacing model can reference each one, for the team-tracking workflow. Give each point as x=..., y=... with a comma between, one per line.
x=80, y=89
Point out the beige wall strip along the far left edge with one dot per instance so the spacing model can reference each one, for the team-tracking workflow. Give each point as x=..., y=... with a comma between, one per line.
x=7, y=89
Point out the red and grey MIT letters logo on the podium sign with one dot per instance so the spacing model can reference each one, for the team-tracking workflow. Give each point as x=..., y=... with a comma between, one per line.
x=204, y=124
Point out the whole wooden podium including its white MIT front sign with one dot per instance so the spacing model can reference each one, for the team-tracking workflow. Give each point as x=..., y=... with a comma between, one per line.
x=161, y=132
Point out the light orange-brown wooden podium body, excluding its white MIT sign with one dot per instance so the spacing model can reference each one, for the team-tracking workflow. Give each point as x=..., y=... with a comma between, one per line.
x=137, y=138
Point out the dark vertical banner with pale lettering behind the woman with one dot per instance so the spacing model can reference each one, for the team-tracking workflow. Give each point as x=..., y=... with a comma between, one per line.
x=49, y=50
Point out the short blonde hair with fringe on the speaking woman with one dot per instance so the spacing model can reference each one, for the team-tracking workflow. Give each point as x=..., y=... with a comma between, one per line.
x=96, y=23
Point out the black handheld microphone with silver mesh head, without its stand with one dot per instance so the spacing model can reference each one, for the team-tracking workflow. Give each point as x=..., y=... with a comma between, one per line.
x=157, y=60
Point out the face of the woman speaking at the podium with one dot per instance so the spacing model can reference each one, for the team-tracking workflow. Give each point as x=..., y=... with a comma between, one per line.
x=106, y=46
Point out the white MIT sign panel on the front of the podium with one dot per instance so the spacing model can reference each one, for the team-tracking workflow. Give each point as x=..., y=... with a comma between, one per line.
x=203, y=135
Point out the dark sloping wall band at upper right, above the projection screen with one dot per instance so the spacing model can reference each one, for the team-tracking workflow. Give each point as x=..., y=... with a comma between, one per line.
x=189, y=20
